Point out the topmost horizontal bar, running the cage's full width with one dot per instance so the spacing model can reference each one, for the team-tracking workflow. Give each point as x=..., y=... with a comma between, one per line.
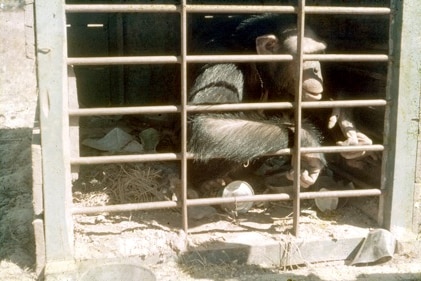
x=245, y=9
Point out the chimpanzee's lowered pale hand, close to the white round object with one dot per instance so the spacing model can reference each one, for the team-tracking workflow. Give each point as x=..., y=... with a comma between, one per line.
x=310, y=169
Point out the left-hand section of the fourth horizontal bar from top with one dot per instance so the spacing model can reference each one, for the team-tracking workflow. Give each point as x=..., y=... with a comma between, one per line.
x=112, y=159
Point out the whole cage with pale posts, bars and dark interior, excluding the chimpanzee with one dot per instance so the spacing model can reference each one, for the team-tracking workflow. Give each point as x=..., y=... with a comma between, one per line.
x=130, y=64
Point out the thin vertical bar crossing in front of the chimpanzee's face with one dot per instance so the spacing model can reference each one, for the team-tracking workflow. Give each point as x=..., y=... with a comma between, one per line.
x=297, y=116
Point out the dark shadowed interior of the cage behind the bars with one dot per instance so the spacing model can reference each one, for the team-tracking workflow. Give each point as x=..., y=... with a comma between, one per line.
x=159, y=34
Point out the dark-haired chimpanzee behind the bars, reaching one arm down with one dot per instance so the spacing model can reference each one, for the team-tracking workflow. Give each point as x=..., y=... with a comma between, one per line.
x=224, y=141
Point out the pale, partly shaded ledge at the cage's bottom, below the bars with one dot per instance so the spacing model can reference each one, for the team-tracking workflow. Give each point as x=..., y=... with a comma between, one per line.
x=254, y=248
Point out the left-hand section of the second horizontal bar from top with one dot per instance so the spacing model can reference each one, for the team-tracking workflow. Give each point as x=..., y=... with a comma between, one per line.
x=123, y=60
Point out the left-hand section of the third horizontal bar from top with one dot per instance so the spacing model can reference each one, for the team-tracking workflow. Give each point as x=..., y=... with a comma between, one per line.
x=124, y=110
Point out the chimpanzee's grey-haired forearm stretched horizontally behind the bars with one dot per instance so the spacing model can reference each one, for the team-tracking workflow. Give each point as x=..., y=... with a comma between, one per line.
x=236, y=136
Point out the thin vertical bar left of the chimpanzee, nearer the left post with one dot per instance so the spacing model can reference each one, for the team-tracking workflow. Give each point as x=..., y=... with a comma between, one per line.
x=184, y=113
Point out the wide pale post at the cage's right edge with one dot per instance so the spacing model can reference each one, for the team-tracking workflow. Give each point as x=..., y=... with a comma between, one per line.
x=401, y=130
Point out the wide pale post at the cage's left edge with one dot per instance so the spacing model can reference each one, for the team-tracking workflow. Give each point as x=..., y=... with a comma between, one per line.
x=54, y=120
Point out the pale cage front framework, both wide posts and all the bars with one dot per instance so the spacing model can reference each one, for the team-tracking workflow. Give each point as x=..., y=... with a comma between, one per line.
x=58, y=117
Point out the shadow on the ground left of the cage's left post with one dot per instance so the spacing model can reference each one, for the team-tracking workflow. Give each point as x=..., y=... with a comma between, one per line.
x=16, y=211
